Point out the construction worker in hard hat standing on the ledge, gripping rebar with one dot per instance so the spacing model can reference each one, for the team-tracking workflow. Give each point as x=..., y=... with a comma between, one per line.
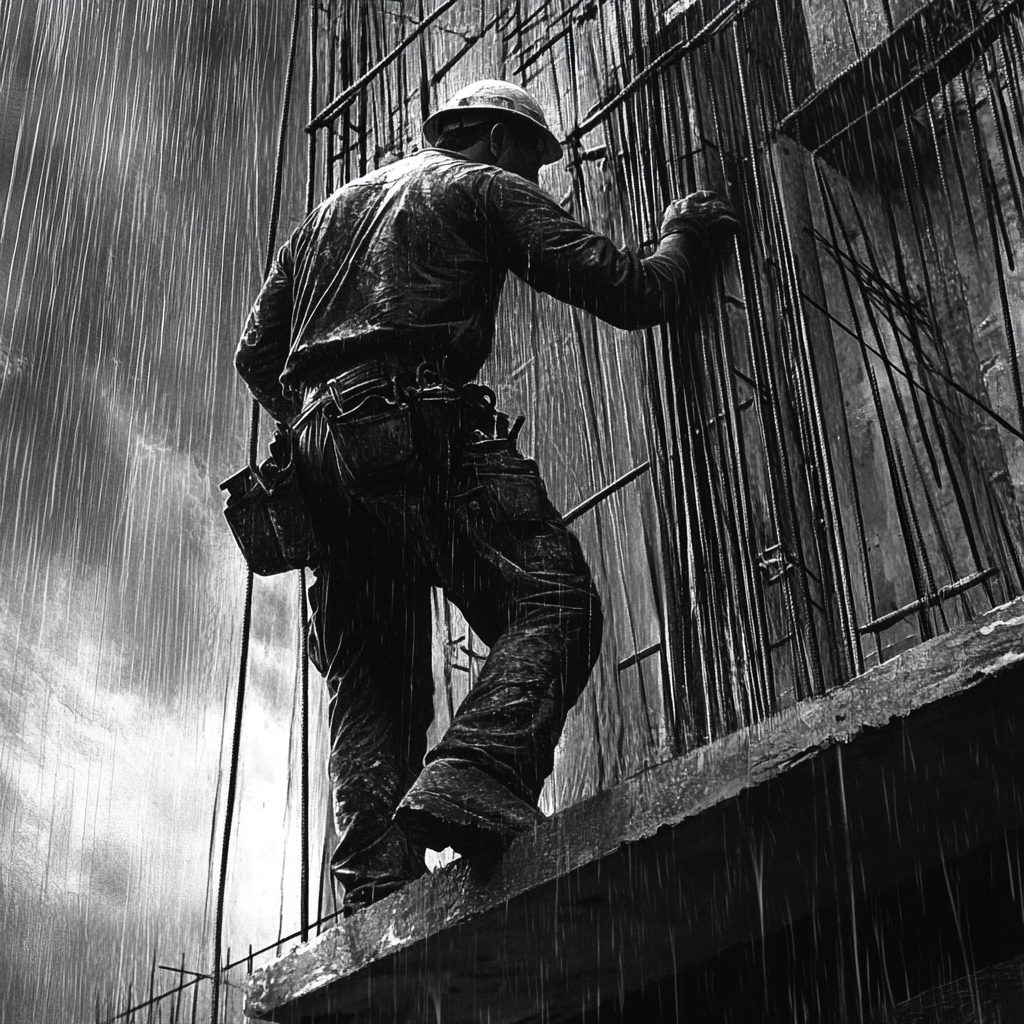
x=366, y=339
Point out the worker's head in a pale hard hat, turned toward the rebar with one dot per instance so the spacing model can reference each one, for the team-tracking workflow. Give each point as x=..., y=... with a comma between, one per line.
x=498, y=123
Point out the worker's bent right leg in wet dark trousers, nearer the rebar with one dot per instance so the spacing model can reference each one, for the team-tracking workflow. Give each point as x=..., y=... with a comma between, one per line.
x=521, y=578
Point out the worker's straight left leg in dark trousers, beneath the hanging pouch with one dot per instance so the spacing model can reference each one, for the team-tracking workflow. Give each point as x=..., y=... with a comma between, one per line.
x=371, y=641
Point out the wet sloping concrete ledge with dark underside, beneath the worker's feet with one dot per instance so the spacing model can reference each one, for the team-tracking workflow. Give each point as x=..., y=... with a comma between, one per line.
x=913, y=763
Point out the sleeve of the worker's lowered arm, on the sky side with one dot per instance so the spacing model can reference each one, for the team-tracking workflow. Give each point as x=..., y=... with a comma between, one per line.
x=267, y=339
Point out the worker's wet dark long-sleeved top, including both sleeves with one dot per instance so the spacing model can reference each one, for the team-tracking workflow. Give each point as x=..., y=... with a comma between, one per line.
x=407, y=265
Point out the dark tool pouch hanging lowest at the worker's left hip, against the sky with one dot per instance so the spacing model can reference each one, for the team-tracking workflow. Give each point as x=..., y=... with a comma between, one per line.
x=269, y=516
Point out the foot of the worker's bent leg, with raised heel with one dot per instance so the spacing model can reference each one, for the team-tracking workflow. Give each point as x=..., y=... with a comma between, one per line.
x=453, y=804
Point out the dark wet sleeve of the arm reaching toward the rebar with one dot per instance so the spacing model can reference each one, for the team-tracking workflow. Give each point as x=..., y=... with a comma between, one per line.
x=556, y=254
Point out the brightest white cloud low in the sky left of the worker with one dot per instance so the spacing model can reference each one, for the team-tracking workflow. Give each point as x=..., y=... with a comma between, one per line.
x=108, y=797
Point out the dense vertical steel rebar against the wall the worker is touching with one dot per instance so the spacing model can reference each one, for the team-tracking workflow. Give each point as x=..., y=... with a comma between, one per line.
x=761, y=546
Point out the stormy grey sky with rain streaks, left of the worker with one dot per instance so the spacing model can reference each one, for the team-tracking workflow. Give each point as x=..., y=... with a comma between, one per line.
x=137, y=149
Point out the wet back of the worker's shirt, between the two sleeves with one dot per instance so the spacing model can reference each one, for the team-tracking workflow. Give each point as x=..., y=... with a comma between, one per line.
x=397, y=264
